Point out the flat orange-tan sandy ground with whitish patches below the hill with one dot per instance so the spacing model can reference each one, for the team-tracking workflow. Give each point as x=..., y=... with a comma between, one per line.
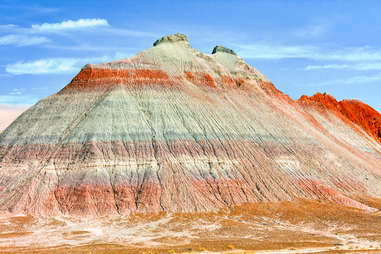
x=288, y=227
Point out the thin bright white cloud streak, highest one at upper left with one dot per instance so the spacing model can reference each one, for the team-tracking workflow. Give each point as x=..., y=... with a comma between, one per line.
x=70, y=25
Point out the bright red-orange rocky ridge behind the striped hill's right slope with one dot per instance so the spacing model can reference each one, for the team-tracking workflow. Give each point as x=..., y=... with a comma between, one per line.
x=353, y=110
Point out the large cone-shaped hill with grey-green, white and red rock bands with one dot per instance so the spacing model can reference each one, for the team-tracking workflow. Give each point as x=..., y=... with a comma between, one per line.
x=173, y=129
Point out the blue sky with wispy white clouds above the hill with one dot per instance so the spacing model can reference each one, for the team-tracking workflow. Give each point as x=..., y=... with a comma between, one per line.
x=302, y=46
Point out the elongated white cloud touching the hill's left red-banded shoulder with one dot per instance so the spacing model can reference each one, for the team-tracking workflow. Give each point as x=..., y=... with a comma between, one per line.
x=51, y=65
